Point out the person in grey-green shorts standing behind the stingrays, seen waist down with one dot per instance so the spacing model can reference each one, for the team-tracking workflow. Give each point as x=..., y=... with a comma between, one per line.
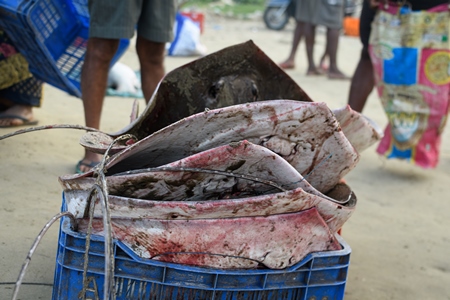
x=110, y=21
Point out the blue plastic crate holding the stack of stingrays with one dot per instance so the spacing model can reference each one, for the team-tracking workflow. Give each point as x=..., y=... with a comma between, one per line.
x=320, y=275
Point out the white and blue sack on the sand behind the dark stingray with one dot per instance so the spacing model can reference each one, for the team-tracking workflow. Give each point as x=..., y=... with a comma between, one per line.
x=187, y=38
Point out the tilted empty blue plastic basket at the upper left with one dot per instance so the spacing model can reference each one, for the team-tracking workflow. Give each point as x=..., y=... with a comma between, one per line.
x=52, y=35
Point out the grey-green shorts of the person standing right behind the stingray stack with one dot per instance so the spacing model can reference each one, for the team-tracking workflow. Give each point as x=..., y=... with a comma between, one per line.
x=116, y=19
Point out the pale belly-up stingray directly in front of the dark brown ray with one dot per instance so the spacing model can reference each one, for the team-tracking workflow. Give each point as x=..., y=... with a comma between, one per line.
x=306, y=134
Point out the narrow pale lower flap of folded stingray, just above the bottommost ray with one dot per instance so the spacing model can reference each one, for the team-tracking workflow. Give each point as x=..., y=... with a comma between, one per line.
x=334, y=214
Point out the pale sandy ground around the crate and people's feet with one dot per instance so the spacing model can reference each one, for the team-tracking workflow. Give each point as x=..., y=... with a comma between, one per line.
x=399, y=234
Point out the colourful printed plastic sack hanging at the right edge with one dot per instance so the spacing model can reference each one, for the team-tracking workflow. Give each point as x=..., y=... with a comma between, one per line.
x=411, y=59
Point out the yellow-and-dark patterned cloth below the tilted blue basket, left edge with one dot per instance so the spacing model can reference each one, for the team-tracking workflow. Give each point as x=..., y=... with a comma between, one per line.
x=17, y=84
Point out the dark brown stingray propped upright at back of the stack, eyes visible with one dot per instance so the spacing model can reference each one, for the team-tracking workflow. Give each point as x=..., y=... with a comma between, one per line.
x=234, y=75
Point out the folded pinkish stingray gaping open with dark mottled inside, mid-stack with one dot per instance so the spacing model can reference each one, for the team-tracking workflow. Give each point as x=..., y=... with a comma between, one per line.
x=183, y=195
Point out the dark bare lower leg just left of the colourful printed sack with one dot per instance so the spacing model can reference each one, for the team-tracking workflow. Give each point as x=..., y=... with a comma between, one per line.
x=362, y=83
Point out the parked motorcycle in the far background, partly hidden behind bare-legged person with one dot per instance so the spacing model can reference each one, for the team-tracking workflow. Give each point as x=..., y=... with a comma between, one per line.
x=278, y=12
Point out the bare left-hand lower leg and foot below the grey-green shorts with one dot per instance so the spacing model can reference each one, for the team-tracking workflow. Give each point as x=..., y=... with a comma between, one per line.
x=99, y=54
